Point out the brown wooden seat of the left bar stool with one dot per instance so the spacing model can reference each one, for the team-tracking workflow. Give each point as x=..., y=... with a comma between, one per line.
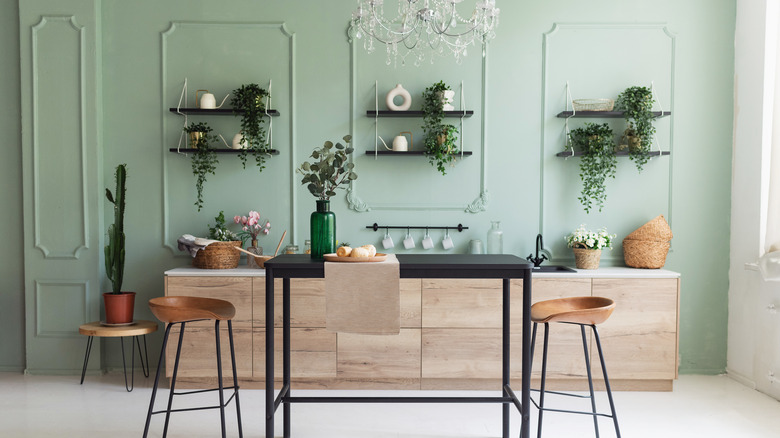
x=182, y=309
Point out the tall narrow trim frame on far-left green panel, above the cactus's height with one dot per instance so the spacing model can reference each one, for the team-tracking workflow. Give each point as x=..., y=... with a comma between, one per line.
x=36, y=147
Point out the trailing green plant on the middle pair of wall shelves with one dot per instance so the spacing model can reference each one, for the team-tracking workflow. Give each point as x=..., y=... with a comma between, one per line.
x=440, y=139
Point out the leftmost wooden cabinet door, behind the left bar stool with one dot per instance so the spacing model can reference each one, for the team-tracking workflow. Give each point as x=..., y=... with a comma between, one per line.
x=198, y=355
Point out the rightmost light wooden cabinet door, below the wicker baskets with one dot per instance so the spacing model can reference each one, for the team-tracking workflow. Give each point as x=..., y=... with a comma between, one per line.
x=640, y=338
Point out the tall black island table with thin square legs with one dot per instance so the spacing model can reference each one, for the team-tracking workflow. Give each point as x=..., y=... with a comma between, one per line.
x=503, y=266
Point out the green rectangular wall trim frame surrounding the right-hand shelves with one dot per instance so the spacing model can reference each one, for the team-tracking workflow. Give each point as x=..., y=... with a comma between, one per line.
x=546, y=37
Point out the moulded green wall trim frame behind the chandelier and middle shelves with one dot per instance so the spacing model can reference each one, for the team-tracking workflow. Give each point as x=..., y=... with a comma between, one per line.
x=356, y=203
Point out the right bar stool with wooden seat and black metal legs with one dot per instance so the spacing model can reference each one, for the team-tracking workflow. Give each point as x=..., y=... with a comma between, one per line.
x=582, y=311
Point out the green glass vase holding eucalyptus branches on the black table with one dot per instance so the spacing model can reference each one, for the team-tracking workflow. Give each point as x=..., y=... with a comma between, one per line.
x=322, y=177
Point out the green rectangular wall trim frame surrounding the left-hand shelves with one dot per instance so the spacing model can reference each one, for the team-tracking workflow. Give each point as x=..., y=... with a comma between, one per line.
x=175, y=25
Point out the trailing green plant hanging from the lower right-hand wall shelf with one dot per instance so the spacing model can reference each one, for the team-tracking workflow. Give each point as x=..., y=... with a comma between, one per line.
x=598, y=162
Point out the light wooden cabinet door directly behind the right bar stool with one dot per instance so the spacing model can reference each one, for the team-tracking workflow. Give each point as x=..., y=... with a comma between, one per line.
x=565, y=357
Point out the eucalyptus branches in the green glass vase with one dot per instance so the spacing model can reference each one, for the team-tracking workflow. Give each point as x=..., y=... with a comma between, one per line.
x=331, y=170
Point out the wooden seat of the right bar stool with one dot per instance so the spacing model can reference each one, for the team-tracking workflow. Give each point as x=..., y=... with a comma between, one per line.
x=576, y=310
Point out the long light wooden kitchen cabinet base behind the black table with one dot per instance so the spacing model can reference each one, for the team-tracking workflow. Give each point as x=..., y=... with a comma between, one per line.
x=450, y=335
